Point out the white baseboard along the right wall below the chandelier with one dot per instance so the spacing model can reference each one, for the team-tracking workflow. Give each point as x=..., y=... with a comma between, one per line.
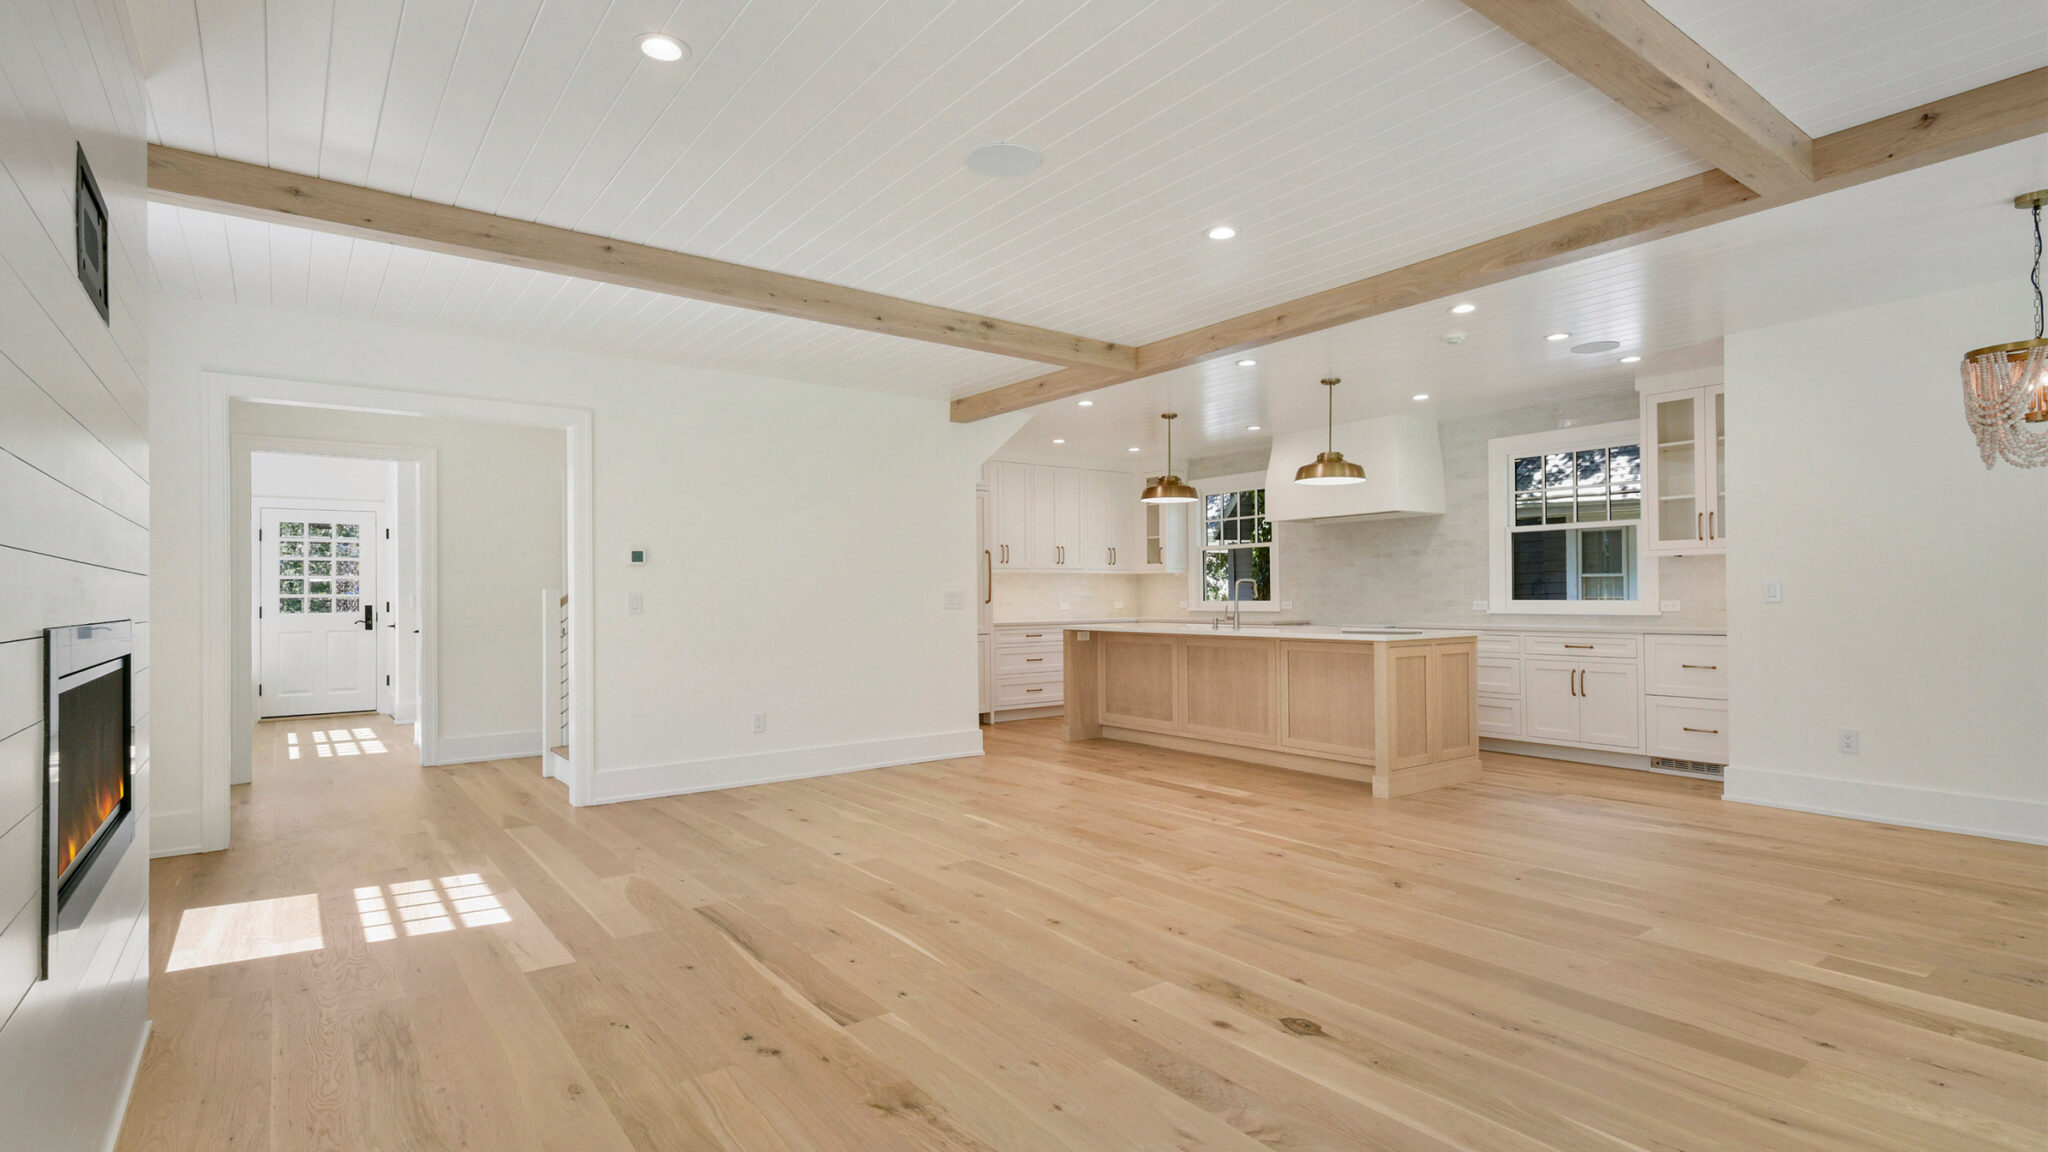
x=1998, y=817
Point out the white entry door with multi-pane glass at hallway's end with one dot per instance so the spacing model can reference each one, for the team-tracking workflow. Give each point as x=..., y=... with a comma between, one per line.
x=318, y=600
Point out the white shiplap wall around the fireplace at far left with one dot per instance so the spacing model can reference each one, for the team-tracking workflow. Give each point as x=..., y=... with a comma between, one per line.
x=75, y=546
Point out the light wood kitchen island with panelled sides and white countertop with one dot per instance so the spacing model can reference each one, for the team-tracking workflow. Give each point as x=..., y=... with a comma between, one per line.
x=1398, y=708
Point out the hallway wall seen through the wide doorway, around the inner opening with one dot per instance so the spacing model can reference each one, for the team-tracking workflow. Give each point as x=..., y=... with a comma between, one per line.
x=503, y=493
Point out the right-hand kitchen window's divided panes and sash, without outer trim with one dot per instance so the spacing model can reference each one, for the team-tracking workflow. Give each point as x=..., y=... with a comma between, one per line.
x=1576, y=524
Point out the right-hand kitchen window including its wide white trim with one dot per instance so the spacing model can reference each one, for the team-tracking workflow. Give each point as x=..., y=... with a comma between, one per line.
x=1568, y=524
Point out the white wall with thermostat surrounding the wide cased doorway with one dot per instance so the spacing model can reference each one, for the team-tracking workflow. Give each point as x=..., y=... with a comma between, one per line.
x=800, y=546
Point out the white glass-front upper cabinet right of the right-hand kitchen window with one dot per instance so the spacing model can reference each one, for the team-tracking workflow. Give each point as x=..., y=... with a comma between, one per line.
x=1684, y=477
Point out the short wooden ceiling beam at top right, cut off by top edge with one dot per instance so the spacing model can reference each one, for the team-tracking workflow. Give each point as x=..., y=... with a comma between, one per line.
x=1650, y=67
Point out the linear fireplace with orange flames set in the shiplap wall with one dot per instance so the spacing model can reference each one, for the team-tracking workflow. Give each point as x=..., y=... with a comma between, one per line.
x=89, y=743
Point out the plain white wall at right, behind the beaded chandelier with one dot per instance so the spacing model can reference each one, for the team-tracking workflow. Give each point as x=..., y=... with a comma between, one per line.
x=1916, y=583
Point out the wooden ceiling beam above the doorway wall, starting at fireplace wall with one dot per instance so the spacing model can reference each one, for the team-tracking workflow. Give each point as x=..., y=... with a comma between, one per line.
x=253, y=192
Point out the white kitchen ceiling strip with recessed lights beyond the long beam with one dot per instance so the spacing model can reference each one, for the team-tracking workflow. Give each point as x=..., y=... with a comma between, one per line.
x=1670, y=302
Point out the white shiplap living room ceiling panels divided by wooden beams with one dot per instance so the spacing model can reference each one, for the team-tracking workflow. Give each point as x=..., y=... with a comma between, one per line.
x=826, y=140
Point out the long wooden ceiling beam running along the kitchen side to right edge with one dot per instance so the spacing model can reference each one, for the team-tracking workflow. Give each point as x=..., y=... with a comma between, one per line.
x=1943, y=130
